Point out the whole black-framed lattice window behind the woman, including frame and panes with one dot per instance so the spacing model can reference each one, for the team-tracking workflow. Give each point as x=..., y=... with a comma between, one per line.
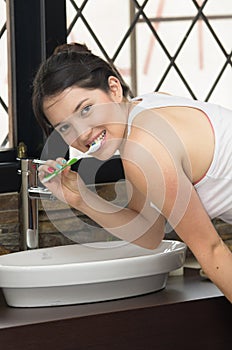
x=183, y=42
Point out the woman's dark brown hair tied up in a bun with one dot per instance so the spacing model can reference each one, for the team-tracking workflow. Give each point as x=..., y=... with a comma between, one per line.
x=70, y=65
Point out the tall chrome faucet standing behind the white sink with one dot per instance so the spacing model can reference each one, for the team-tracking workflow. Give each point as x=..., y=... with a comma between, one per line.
x=30, y=192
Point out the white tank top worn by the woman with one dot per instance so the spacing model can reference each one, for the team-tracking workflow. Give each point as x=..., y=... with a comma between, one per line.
x=215, y=188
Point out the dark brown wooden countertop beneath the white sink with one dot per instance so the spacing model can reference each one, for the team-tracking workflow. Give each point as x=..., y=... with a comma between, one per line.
x=188, y=307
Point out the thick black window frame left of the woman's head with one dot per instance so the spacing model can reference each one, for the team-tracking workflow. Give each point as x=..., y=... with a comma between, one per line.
x=33, y=32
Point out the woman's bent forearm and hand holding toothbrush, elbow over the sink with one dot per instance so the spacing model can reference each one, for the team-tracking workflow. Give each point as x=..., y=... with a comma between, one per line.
x=137, y=223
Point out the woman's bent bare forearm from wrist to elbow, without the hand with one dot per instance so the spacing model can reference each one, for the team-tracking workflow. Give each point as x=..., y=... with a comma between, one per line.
x=137, y=223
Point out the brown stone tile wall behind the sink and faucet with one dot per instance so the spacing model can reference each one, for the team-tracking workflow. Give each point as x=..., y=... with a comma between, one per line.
x=75, y=226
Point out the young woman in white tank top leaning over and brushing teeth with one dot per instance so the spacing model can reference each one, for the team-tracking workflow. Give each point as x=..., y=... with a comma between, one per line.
x=176, y=154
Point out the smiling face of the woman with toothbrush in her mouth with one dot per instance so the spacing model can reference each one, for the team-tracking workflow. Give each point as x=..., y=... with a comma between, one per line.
x=84, y=116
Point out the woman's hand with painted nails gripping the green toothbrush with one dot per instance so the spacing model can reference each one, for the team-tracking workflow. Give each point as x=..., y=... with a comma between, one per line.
x=66, y=186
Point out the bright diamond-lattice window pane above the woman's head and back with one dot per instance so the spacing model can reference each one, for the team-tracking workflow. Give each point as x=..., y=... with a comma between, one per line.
x=178, y=46
